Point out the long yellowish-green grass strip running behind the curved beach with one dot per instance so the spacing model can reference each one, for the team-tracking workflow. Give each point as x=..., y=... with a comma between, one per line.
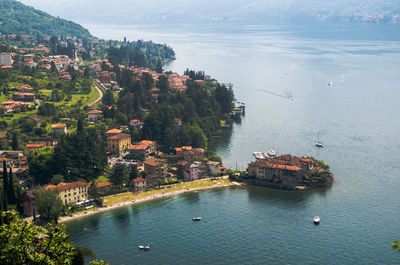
x=129, y=196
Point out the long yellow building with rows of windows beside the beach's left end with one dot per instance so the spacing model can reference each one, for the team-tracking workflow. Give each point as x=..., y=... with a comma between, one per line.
x=73, y=192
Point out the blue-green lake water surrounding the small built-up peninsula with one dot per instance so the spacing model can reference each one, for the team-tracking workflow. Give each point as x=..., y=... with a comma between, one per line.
x=357, y=118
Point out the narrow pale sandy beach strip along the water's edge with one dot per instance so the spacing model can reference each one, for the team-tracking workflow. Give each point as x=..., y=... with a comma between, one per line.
x=148, y=198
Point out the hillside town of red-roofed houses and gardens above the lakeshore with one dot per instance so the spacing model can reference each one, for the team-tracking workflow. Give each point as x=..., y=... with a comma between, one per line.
x=37, y=114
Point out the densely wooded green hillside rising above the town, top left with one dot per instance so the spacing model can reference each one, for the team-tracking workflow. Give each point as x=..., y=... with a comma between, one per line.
x=17, y=18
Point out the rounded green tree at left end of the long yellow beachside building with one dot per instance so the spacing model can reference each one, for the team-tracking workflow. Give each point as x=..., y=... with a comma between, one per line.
x=49, y=205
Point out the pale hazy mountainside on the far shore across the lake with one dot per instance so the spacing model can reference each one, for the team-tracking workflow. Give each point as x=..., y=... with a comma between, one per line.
x=181, y=11
